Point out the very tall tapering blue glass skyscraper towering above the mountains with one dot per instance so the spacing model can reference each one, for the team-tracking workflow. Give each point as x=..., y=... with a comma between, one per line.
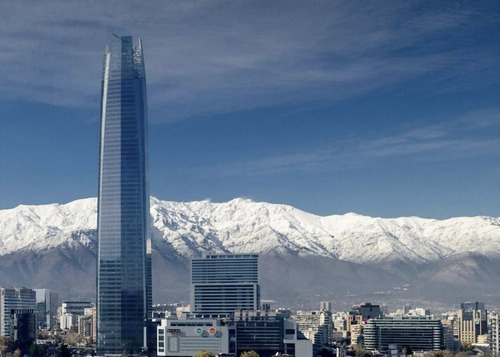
x=124, y=248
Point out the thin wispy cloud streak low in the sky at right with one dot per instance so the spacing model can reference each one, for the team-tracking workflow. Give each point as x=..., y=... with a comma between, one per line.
x=454, y=139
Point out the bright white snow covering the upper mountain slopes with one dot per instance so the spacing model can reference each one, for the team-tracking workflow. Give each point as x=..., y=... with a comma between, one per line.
x=241, y=225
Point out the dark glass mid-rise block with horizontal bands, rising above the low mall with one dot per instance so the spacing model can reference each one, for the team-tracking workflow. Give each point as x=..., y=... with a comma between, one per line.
x=223, y=283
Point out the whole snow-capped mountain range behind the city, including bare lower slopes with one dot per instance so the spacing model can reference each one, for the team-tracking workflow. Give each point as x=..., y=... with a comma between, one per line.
x=304, y=258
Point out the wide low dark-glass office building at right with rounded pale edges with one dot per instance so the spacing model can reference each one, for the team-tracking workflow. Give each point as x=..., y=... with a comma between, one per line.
x=417, y=333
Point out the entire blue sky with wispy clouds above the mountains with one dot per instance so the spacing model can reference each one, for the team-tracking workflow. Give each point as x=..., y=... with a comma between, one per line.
x=380, y=108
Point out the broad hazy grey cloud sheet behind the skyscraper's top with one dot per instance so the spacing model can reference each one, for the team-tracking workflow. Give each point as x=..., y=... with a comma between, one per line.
x=210, y=57
